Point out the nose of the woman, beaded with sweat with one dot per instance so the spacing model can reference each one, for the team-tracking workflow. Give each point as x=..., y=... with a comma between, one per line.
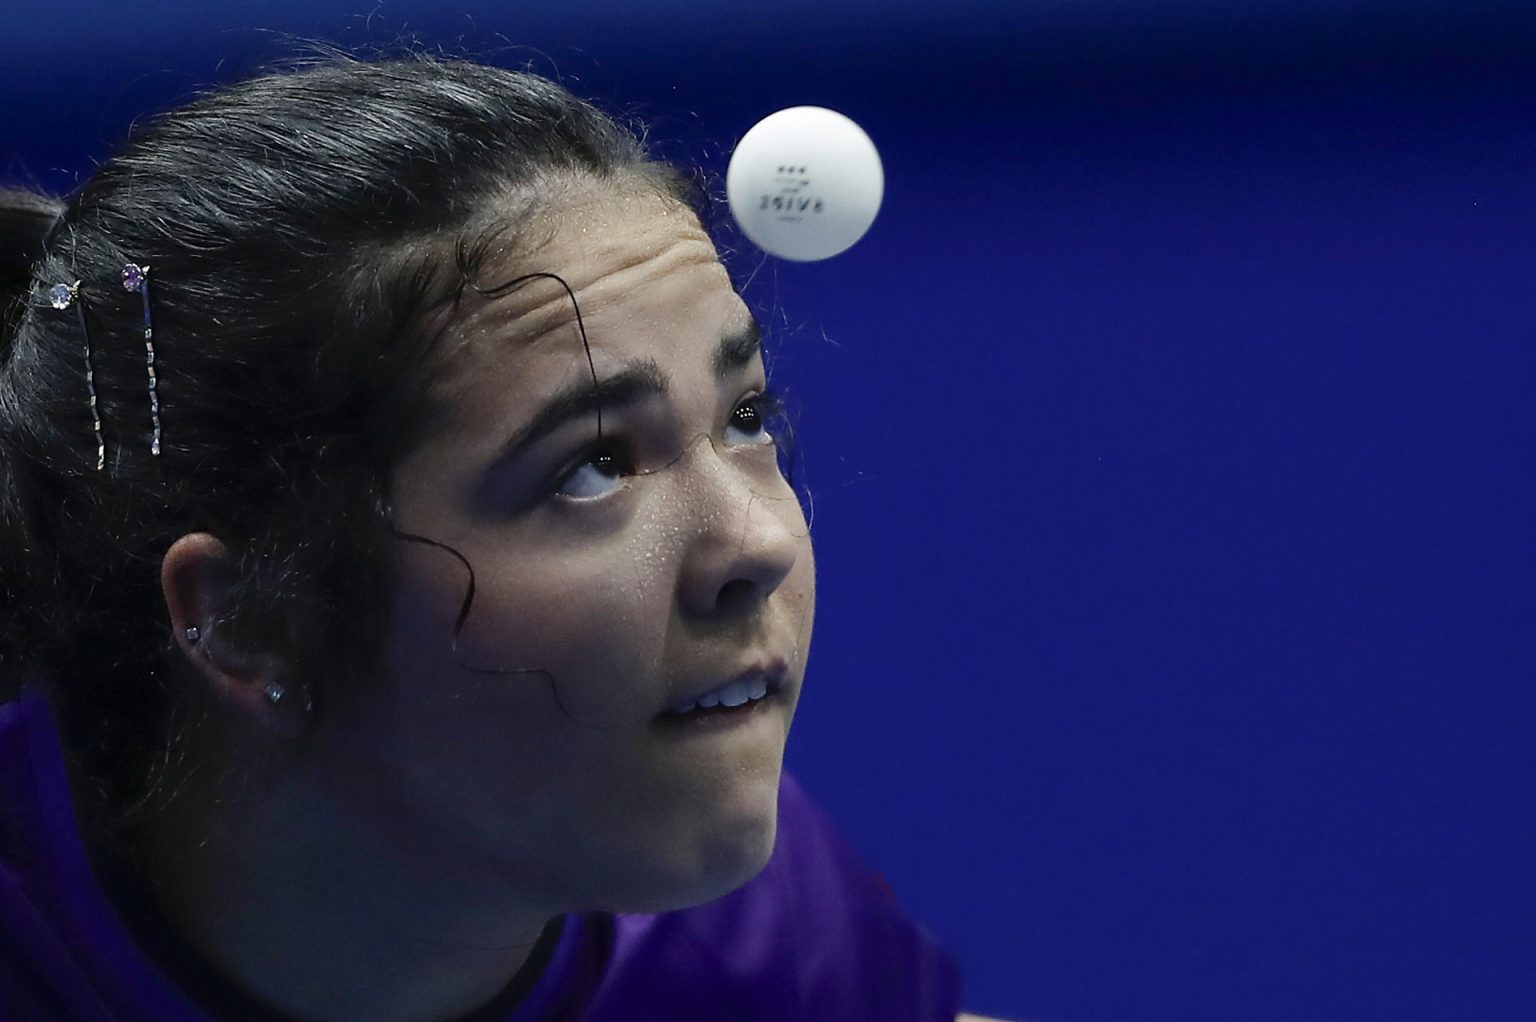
x=746, y=543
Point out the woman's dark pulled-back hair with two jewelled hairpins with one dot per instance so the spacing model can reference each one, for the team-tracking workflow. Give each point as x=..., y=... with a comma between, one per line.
x=302, y=230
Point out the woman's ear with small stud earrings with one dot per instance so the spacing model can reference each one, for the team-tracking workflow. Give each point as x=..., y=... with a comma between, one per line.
x=242, y=668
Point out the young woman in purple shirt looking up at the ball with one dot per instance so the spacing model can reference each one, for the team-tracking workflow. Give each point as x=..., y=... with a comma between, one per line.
x=403, y=608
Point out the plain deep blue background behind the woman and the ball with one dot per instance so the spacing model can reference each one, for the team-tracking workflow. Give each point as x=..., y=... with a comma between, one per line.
x=1173, y=451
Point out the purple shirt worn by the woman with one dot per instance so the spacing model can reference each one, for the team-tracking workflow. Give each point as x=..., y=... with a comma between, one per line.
x=815, y=937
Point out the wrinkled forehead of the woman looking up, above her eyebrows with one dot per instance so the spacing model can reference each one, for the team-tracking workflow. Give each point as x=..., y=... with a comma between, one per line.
x=650, y=290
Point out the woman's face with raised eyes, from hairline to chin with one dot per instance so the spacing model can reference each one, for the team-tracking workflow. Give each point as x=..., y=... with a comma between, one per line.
x=618, y=571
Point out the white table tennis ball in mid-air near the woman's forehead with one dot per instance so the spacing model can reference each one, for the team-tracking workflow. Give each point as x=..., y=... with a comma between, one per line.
x=806, y=184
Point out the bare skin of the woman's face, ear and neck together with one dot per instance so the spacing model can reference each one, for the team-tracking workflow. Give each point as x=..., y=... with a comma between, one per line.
x=405, y=846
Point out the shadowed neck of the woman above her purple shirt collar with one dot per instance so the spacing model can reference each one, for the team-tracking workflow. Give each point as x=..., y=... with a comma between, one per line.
x=313, y=903
